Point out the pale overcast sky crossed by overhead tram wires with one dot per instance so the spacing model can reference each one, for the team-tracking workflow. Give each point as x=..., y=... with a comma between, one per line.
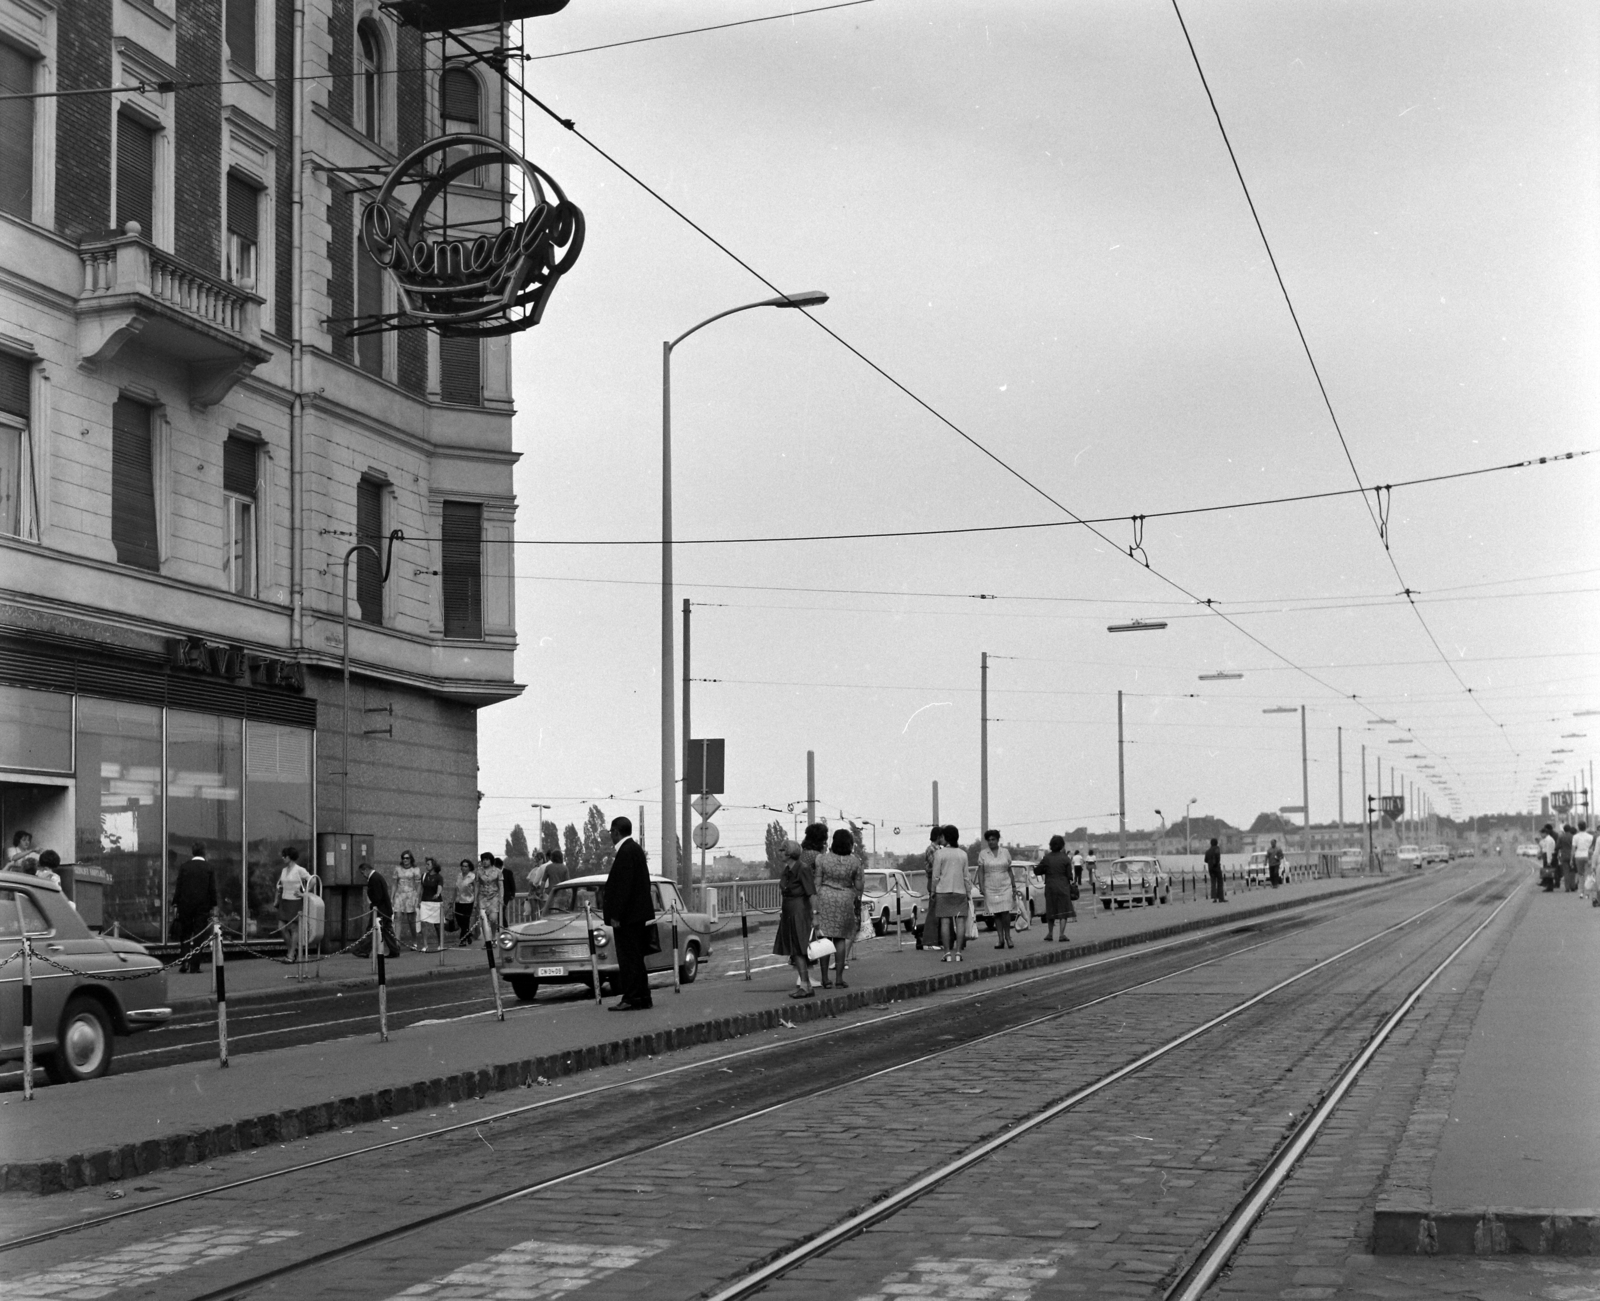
x=1028, y=215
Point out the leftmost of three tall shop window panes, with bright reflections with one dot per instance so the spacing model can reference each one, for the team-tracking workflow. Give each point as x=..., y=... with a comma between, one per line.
x=119, y=811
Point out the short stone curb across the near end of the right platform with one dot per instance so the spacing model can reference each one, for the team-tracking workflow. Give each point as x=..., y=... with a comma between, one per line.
x=1495, y=1231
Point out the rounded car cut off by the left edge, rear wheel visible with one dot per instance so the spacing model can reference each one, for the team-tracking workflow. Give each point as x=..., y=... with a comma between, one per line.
x=76, y=1014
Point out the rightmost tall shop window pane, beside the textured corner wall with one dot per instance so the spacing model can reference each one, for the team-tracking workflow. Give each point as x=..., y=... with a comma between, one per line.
x=278, y=812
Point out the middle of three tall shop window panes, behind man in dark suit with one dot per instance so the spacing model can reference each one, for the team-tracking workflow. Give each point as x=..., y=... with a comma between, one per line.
x=206, y=759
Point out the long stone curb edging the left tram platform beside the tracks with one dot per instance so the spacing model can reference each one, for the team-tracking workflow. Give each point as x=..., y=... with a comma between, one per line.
x=190, y=1148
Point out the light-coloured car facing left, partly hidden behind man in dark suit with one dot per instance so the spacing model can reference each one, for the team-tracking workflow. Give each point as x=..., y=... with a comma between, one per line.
x=554, y=948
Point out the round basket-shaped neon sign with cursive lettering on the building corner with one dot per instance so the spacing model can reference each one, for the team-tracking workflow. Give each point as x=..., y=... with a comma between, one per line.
x=446, y=268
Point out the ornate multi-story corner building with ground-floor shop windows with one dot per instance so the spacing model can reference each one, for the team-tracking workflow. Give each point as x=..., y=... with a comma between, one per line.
x=191, y=439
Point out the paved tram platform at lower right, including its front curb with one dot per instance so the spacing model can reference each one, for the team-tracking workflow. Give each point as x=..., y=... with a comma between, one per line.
x=1503, y=1151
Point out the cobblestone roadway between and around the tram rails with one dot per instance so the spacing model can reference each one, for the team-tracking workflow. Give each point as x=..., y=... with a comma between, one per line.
x=1108, y=1199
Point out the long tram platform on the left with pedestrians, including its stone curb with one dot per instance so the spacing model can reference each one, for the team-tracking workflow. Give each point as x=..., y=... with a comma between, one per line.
x=132, y=1124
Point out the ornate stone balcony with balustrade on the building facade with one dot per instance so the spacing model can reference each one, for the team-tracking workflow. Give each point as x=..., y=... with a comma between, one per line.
x=135, y=292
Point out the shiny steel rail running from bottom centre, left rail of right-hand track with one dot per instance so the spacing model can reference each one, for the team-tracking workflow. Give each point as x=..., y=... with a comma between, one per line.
x=913, y=1191
